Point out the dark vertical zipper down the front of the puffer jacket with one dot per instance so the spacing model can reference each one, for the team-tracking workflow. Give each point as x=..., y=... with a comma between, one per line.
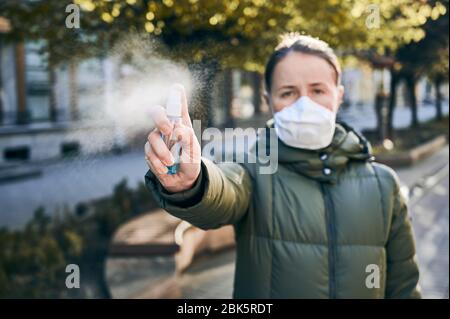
x=331, y=233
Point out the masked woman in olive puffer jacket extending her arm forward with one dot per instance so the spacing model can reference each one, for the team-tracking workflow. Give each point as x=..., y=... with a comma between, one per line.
x=329, y=223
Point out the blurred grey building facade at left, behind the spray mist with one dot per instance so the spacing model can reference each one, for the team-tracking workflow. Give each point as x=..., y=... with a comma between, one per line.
x=46, y=114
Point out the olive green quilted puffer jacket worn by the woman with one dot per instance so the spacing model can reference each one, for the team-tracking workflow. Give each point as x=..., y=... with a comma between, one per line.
x=322, y=226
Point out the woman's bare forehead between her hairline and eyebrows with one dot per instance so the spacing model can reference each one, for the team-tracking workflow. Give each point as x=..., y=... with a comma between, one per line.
x=303, y=68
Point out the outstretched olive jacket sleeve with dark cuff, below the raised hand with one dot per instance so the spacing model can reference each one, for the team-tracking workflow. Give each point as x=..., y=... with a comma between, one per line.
x=220, y=196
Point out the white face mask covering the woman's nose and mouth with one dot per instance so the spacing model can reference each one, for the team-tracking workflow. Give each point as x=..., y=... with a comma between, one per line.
x=305, y=124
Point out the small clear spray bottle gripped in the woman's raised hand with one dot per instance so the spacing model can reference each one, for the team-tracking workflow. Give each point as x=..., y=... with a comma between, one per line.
x=173, y=111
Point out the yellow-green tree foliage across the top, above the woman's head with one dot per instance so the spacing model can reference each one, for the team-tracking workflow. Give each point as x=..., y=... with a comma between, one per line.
x=236, y=33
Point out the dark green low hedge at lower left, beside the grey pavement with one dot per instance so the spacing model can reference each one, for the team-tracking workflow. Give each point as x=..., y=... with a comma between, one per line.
x=33, y=259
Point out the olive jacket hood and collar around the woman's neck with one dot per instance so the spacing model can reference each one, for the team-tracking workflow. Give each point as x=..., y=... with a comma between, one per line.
x=325, y=164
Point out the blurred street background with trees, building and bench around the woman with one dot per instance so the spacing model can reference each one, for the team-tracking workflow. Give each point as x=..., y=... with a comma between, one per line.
x=78, y=79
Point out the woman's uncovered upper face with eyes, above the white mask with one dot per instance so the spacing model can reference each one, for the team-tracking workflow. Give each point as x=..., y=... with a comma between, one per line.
x=299, y=74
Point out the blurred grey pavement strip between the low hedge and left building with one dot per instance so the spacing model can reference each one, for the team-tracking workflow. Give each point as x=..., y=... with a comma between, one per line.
x=68, y=182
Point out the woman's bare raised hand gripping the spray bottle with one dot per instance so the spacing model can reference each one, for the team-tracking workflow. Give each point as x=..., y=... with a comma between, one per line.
x=158, y=155
